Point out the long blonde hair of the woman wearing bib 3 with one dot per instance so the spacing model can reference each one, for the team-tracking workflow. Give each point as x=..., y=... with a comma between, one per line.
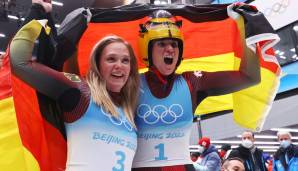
x=99, y=93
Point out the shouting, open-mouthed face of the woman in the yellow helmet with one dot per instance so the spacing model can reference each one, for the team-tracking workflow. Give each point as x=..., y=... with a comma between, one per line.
x=165, y=54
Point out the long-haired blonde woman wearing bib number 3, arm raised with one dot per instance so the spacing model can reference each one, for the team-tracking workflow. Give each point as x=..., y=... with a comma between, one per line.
x=98, y=111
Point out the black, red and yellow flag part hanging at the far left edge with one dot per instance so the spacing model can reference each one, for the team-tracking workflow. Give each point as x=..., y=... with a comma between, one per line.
x=31, y=139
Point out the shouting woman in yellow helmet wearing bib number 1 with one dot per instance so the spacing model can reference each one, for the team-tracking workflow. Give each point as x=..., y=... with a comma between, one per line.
x=168, y=100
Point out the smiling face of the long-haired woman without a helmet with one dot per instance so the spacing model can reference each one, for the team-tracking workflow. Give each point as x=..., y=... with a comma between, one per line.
x=114, y=66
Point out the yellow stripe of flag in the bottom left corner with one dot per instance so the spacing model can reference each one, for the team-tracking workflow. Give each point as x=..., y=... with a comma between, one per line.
x=13, y=155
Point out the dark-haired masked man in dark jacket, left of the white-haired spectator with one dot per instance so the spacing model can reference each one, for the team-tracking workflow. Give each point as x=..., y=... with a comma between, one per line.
x=249, y=153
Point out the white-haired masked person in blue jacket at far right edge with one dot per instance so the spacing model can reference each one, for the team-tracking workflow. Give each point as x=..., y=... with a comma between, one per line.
x=286, y=157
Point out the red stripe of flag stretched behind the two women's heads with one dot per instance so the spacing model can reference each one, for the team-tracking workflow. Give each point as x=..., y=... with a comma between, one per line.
x=200, y=39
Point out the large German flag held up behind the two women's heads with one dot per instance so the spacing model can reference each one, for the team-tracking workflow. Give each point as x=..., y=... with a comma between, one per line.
x=211, y=43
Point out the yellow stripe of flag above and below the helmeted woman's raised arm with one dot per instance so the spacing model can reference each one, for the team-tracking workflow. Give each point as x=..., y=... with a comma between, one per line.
x=258, y=97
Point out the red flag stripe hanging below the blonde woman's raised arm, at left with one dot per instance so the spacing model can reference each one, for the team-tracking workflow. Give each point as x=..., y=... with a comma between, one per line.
x=43, y=140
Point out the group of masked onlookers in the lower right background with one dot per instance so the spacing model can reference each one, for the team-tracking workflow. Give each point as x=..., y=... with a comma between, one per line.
x=247, y=156
